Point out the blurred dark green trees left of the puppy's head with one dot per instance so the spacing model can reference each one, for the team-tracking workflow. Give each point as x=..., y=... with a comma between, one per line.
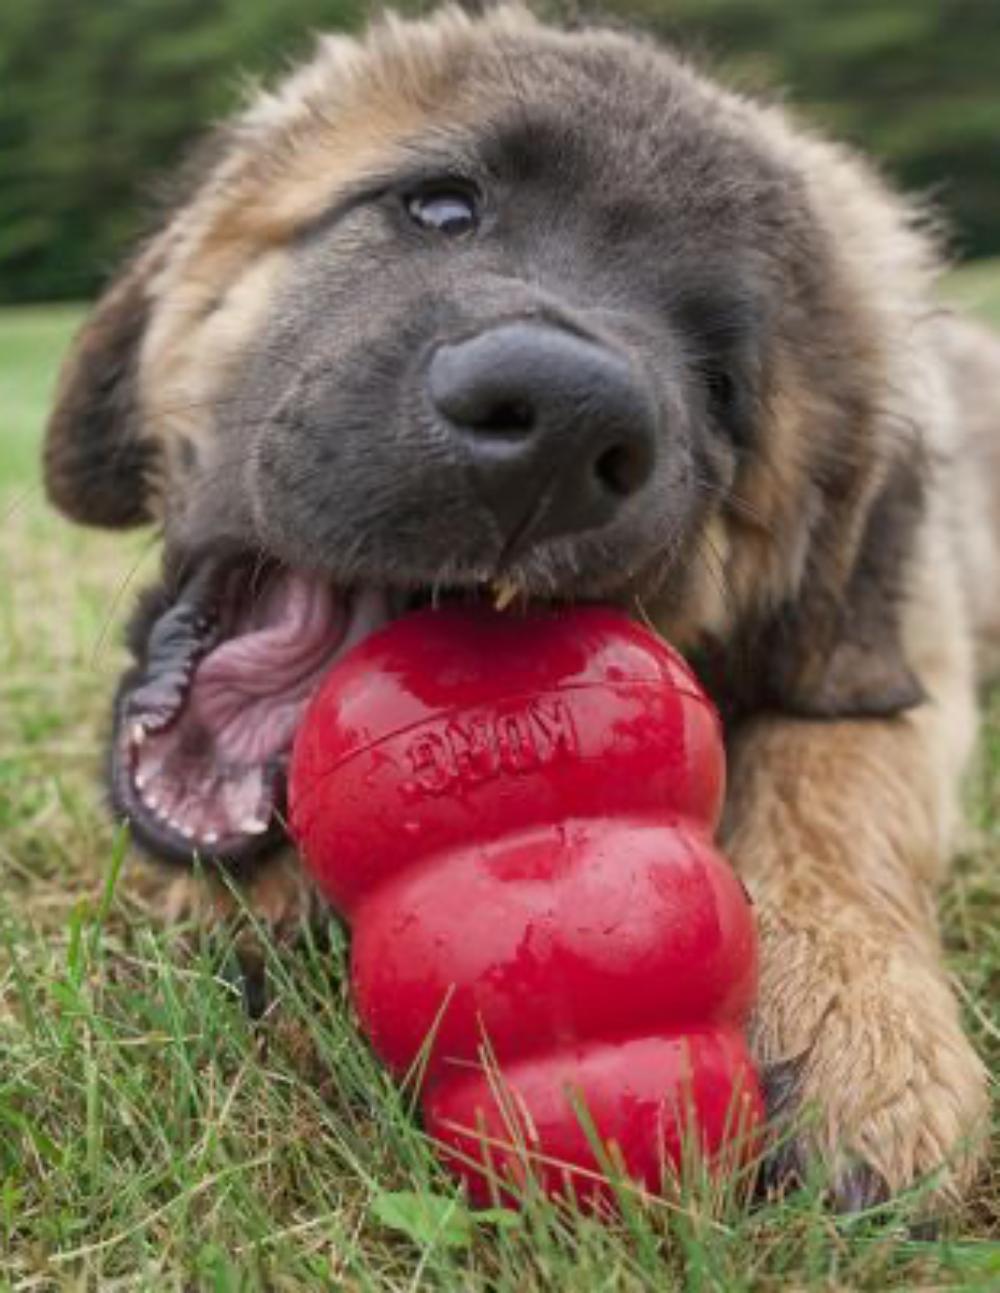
x=100, y=98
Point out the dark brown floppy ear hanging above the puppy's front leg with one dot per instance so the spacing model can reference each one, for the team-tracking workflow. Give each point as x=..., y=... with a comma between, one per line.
x=838, y=652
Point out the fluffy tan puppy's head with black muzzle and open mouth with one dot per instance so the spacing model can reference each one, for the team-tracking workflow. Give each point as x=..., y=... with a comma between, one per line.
x=465, y=306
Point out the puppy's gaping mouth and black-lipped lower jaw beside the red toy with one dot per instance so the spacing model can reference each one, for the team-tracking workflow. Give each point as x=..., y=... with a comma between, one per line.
x=205, y=725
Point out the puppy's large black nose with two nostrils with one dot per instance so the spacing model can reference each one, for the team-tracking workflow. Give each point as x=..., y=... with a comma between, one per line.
x=560, y=430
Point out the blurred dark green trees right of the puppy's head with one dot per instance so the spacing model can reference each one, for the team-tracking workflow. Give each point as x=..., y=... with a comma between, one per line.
x=915, y=83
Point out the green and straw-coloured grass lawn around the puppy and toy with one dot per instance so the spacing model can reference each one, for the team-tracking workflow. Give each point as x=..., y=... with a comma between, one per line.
x=153, y=1136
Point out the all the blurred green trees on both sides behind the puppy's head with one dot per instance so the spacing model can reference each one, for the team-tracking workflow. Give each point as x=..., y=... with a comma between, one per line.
x=98, y=98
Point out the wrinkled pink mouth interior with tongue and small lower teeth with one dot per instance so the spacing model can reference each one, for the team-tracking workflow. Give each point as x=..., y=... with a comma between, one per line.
x=209, y=778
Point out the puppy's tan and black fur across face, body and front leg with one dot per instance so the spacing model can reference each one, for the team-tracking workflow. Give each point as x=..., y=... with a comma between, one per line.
x=829, y=554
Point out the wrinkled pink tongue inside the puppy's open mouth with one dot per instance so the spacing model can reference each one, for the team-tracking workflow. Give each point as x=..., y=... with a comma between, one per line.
x=250, y=691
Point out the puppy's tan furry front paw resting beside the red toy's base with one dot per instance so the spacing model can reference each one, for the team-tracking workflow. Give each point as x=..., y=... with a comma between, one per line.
x=871, y=1083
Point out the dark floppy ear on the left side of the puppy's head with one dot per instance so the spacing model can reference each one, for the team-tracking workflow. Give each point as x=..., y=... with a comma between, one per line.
x=96, y=465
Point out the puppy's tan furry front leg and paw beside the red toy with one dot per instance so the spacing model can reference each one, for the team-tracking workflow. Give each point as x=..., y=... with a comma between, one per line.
x=839, y=831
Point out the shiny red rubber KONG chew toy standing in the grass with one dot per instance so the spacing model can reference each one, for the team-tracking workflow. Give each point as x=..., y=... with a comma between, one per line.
x=516, y=815
